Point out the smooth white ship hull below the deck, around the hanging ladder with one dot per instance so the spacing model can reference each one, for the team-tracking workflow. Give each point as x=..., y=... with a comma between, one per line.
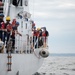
x=22, y=64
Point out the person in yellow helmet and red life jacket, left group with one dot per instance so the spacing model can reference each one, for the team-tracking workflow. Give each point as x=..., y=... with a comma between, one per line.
x=9, y=29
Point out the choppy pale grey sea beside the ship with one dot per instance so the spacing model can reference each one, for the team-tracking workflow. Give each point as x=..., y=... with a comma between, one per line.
x=58, y=64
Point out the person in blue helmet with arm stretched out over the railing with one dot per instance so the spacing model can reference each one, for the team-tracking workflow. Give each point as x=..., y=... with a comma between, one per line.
x=14, y=30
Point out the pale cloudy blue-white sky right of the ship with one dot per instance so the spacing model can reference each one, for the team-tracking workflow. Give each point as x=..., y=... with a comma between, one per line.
x=58, y=16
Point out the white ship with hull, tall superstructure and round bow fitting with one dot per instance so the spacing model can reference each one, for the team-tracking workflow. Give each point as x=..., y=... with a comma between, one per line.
x=24, y=59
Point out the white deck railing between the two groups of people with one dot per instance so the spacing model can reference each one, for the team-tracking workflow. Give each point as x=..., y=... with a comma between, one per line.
x=24, y=44
